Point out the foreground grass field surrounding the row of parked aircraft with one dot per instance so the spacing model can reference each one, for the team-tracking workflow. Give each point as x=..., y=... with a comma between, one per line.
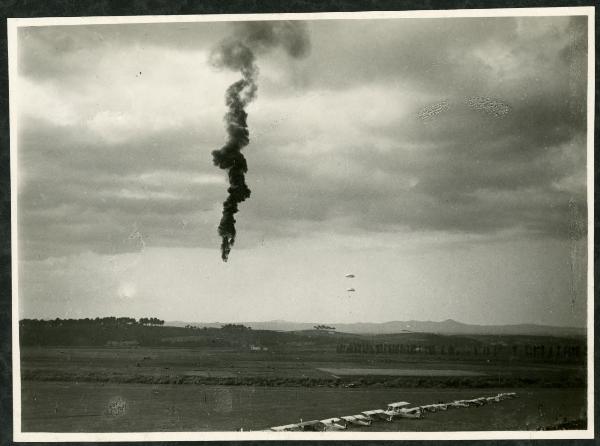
x=87, y=407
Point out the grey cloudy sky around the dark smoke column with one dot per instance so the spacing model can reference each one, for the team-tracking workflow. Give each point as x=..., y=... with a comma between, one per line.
x=442, y=161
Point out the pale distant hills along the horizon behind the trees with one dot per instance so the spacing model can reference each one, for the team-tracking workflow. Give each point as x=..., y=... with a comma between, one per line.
x=447, y=327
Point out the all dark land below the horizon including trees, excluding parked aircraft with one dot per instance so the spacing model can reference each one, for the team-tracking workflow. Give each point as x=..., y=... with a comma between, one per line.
x=181, y=380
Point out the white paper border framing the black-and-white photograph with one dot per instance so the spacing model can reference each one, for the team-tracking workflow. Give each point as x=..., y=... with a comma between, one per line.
x=19, y=436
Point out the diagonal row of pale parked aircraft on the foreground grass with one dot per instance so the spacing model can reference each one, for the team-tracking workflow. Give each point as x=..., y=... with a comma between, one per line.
x=393, y=411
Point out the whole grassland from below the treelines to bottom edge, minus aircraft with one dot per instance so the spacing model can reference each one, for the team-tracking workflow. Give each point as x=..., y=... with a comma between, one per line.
x=98, y=389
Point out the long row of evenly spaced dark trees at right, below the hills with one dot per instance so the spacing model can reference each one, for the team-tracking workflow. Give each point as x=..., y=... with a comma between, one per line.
x=549, y=352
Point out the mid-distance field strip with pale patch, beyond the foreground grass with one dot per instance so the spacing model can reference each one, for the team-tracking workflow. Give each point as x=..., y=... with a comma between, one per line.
x=198, y=365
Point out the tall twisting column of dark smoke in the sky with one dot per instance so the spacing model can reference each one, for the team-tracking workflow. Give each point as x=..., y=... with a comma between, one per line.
x=238, y=53
